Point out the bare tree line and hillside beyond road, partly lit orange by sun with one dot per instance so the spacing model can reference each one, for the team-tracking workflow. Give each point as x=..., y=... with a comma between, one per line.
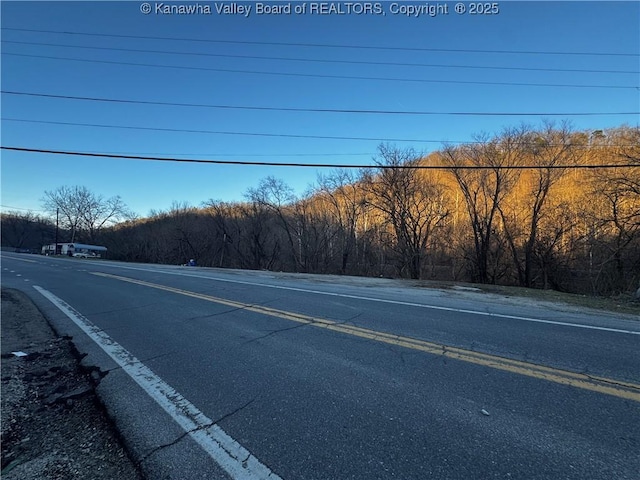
x=481, y=216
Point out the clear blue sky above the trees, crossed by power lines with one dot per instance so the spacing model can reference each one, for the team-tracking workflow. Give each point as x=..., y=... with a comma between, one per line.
x=449, y=63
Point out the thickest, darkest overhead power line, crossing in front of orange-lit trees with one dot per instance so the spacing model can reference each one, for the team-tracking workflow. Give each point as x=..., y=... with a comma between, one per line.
x=313, y=165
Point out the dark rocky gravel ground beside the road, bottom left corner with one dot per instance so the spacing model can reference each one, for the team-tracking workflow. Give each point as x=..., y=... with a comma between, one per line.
x=53, y=426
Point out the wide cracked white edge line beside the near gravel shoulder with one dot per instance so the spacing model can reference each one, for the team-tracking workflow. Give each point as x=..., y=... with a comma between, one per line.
x=236, y=460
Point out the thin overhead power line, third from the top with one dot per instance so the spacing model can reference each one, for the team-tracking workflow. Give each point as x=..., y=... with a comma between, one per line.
x=319, y=75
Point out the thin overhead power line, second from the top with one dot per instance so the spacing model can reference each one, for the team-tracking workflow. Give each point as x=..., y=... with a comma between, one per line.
x=309, y=60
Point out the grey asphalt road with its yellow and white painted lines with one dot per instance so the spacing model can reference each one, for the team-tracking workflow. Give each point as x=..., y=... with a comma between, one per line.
x=214, y=373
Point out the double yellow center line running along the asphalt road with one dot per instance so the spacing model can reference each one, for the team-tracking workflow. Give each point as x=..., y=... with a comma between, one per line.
x=626, y=390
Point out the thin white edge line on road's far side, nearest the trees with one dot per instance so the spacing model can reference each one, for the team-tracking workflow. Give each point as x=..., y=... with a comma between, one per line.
x=395, y=302
